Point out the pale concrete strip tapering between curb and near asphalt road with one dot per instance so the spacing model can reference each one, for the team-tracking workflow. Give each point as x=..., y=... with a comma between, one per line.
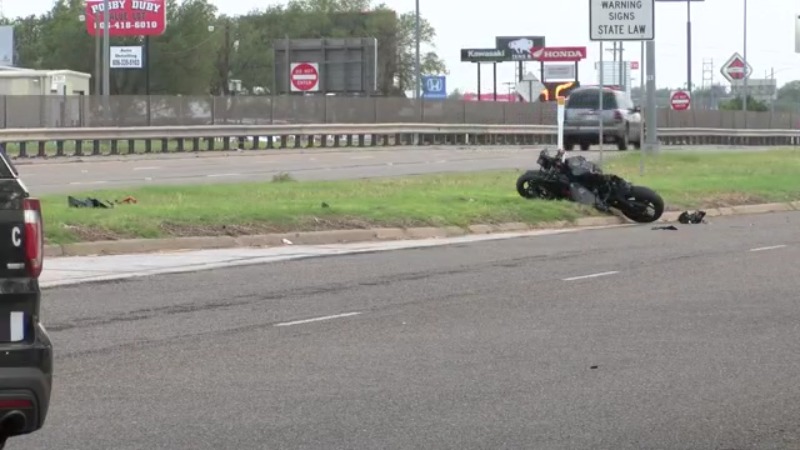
x=84, y=269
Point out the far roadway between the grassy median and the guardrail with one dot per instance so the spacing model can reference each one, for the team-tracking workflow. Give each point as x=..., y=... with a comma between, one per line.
x=45, y=177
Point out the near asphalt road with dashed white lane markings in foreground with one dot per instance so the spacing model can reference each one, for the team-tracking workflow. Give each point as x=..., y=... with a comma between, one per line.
x=623, y=338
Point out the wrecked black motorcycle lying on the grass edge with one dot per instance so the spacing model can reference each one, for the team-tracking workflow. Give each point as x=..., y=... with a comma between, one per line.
x=580, y=180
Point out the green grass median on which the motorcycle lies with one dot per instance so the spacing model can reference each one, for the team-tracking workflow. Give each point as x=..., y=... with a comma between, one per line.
x=685, y=180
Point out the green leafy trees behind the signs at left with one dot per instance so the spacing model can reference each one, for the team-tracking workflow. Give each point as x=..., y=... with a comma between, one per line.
x=202, y=49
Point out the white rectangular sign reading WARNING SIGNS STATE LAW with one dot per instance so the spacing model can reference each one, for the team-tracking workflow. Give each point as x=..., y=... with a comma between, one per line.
x=622, y=20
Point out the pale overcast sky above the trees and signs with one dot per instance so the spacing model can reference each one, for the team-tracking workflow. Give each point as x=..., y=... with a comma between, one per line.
x=717, y=27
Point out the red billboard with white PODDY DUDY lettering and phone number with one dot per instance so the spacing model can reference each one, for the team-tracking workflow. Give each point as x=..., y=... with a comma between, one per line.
x=127, y=17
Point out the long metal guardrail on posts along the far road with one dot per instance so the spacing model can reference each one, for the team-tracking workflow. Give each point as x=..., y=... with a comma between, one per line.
x=127, y=140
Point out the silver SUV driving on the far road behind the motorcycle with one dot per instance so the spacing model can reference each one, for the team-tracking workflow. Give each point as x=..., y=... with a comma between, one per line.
x=622, y=121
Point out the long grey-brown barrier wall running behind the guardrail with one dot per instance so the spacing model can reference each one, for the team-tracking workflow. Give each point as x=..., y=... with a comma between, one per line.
x=90, y=111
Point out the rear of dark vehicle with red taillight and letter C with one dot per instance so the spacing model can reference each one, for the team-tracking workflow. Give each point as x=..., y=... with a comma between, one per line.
x=26, y=354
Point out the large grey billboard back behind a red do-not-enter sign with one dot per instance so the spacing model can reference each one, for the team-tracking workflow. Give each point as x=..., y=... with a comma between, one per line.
x=343, y=65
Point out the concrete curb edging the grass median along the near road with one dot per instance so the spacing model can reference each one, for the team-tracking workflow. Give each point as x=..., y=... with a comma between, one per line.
x=132, y=246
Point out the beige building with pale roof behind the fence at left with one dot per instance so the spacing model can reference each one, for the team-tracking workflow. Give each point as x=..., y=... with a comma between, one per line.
x=41, y=98
